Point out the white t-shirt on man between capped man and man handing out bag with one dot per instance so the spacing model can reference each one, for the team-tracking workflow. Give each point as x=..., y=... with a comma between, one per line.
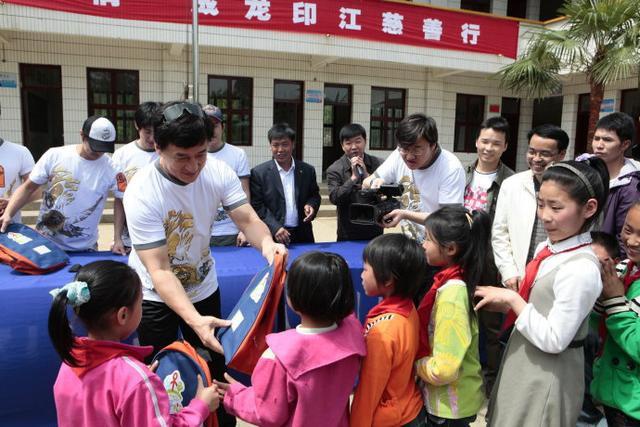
x=127, y=160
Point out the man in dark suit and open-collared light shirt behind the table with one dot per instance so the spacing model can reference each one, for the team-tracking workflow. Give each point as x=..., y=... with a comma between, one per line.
x=284, y=192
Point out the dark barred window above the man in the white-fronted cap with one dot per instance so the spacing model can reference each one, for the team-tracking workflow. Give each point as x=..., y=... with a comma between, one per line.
x=115, y=95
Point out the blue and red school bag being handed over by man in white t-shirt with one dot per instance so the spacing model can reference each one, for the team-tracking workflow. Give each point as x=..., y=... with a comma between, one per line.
x=253, y=318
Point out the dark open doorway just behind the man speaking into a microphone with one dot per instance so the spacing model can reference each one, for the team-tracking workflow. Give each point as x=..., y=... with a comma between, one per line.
x=336, y=114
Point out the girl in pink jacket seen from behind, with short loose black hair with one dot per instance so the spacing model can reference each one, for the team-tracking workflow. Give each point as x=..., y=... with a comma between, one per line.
x=306, y=375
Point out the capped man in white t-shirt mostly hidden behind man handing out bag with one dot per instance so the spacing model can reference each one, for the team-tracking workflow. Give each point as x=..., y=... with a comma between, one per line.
x=225, y=232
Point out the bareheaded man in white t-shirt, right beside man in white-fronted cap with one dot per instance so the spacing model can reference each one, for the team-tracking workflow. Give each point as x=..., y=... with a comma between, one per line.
x=127, y=160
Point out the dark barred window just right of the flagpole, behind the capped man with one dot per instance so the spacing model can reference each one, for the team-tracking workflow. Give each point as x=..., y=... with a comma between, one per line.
x=234, y=96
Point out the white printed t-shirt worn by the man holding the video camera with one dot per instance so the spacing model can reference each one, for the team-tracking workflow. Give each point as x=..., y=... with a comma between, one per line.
x=426, y=190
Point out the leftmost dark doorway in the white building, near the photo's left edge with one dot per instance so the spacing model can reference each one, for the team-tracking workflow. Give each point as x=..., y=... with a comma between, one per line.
x=41, y=102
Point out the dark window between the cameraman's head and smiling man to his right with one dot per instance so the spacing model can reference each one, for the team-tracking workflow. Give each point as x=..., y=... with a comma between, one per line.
x=469, y=117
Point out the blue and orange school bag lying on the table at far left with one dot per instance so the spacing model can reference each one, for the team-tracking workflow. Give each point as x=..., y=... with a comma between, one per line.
x=27, y=251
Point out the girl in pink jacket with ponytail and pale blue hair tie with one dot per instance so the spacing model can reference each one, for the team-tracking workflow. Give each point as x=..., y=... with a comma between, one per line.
x=103, y=382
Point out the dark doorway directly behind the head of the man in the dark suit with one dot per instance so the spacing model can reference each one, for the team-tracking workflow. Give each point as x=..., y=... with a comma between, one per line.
x=288, y=107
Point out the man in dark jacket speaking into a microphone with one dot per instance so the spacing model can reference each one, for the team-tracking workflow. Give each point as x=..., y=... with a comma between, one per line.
x=344, y=179
